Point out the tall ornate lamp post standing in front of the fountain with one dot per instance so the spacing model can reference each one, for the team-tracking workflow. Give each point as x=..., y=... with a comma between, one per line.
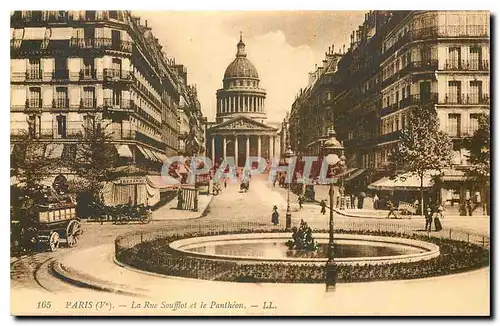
x=333, y=150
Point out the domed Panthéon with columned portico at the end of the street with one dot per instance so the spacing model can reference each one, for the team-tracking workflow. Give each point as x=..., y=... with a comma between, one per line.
x=240, y=129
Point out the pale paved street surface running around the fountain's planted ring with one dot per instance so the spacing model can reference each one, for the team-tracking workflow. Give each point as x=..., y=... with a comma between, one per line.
x=93, y=255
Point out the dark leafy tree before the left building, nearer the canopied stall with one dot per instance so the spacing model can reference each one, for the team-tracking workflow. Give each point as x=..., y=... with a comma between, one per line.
x=94, y=159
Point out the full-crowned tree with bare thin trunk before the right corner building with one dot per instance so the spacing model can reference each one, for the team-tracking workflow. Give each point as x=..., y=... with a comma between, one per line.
x=422, y=147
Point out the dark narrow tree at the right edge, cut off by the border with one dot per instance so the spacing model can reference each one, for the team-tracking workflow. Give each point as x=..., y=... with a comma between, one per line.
x=480, y=158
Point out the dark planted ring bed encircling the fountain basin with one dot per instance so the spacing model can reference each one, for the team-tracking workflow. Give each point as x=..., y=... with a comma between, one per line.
x=156, y=256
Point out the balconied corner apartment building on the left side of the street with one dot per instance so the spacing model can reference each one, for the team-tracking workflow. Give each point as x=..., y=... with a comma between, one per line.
x=72, y=68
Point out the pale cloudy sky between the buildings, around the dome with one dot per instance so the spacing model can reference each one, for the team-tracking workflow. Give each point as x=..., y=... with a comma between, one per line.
x=284, y=46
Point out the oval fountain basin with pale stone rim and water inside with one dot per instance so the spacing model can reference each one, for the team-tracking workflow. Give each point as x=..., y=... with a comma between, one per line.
x=350, y=249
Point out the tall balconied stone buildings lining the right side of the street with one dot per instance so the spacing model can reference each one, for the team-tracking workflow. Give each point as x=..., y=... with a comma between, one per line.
x=398, y=60
